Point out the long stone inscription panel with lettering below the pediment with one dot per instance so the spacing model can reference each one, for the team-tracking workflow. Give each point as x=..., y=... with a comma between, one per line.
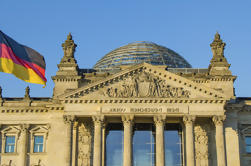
x=144, y=110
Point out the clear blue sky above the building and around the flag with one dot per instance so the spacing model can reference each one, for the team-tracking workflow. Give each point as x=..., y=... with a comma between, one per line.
x=187, y=27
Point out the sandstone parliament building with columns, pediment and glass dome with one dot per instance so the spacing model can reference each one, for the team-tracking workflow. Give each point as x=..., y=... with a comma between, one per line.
x=140, y=105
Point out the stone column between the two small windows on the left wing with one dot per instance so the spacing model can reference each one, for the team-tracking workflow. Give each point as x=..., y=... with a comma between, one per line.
x=23, y=144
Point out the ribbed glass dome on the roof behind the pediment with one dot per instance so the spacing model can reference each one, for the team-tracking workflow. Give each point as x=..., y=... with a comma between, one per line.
x=139, y=52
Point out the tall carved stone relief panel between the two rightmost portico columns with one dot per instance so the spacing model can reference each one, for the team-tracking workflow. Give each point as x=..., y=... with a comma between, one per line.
x=201, y=145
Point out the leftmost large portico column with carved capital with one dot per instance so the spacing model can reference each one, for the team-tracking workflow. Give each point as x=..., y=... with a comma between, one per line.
x=68, y=120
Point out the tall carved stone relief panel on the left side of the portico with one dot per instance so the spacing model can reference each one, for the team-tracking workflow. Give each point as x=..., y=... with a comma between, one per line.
x=84, y=144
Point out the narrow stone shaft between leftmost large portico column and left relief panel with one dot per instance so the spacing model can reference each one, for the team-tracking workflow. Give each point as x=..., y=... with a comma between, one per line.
x=74, y=142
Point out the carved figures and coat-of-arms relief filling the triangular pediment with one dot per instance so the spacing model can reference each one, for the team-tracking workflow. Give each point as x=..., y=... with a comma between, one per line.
x=145, y=85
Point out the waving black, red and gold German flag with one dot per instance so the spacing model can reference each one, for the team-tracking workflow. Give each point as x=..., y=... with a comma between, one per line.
x=21, y=61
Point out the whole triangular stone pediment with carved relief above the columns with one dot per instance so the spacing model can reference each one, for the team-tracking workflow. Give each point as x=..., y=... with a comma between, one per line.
x=144, y=81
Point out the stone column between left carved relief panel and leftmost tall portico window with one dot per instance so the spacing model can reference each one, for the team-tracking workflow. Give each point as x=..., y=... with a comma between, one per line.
x=97, y=120
